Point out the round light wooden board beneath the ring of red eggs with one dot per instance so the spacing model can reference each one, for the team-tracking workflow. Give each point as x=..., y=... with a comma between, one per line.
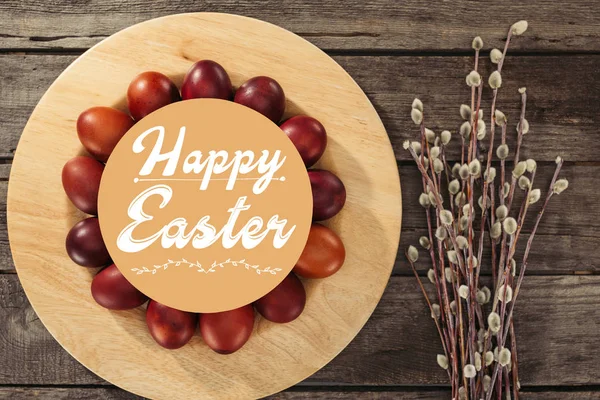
x=117, y=345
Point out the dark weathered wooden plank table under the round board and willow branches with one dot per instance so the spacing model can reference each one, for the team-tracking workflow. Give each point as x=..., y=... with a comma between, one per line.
x=395, y=51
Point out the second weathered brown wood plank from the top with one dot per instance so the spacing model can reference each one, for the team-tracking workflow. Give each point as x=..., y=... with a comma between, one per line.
x=562, y=108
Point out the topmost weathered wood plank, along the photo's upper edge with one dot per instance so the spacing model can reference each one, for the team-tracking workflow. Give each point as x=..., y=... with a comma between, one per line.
x=372, y=24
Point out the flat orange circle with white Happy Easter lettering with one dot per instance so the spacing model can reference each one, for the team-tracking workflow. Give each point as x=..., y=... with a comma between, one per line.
x=205, y=205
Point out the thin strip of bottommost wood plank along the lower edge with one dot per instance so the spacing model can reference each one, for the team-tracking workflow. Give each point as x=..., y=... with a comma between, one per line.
x=112, y=393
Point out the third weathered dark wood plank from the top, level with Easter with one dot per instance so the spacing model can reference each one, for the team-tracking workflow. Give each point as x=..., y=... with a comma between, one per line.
x=564, y=239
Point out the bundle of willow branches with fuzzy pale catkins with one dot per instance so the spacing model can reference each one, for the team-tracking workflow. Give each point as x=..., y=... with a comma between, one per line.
x=474, y=322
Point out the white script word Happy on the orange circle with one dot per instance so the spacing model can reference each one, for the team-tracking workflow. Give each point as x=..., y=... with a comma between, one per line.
x=215, y=163
